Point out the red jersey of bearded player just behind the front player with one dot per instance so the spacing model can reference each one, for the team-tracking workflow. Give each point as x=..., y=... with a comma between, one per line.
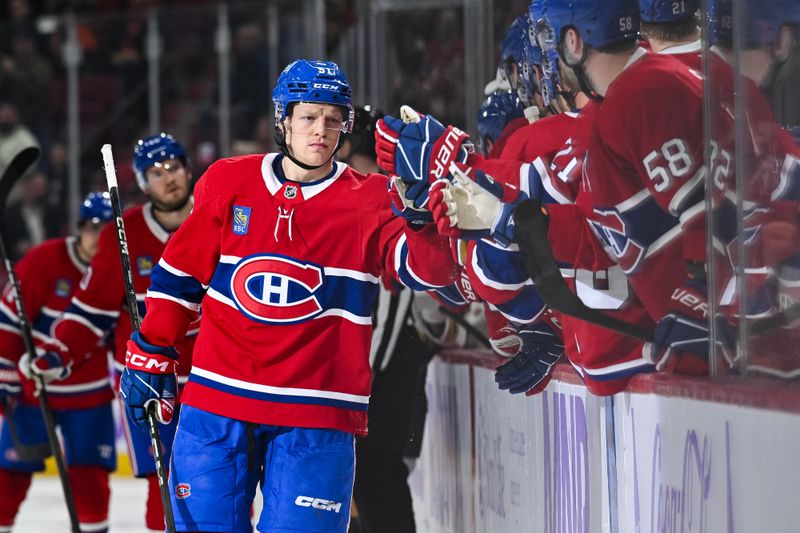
x=98, y=307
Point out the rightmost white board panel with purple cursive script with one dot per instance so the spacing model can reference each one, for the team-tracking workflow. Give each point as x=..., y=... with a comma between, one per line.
x=694, y=466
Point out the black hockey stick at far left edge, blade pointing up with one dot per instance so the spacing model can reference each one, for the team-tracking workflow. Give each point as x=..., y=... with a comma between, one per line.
x=12, y=173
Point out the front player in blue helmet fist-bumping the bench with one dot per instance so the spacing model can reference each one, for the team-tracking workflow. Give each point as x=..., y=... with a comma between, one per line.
x=285, y=252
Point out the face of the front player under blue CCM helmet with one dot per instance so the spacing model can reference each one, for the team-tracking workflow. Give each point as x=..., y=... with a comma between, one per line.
x=312, y=132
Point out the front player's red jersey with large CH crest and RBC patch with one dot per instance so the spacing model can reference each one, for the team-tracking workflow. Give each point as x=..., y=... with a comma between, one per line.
x=287, y=274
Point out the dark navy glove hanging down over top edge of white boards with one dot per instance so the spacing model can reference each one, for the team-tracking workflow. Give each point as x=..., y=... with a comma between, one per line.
x=535, y=349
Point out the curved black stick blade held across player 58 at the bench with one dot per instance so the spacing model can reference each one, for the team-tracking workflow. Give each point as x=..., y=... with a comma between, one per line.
x=531, y=236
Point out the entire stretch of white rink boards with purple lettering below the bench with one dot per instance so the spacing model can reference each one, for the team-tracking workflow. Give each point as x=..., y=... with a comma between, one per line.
x=493, y=462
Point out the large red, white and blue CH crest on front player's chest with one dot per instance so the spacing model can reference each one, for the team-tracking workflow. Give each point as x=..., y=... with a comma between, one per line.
x=274, y=289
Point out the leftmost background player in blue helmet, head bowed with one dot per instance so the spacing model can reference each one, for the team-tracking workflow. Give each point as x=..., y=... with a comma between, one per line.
x=80, y=396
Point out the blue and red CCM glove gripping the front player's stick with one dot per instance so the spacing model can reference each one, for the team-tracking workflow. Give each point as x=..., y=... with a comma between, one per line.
x=149, y=377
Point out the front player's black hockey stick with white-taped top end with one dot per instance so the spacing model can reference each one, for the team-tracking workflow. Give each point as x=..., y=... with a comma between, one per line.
x=136, y=322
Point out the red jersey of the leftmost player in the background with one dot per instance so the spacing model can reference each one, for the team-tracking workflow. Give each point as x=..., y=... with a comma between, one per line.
x=49, y=274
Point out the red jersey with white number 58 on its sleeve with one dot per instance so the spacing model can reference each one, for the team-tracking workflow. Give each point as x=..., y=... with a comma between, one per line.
x=643, y=180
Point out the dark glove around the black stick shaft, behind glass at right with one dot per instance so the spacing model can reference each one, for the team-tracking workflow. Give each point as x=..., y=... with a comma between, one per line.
x=681, y=340
